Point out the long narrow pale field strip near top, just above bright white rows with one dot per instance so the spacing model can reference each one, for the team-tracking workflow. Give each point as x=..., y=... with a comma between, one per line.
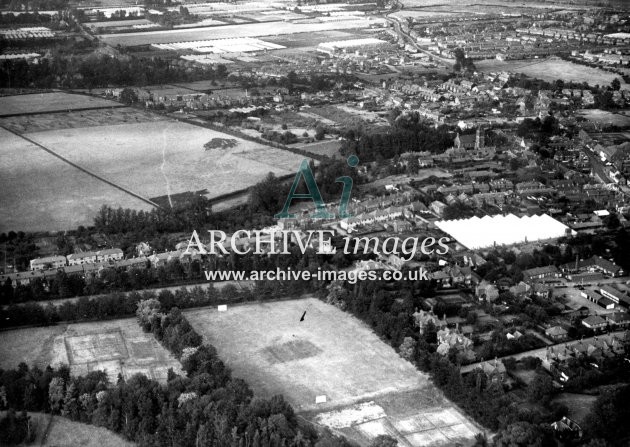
x=229, y=31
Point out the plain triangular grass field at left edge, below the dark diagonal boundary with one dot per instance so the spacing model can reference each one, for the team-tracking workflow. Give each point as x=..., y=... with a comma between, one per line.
x=41, y=192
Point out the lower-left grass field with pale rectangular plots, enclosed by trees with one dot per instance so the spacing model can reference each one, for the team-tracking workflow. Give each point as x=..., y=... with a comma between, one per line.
x=116, y=346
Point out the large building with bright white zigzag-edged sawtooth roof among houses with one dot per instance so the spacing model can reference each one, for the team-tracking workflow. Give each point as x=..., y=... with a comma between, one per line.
x=489, y=231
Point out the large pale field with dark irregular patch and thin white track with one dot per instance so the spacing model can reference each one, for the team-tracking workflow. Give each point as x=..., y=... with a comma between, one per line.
x=163, y=157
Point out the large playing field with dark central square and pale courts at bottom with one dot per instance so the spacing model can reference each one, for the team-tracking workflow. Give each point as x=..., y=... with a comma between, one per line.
x=369, y=389
